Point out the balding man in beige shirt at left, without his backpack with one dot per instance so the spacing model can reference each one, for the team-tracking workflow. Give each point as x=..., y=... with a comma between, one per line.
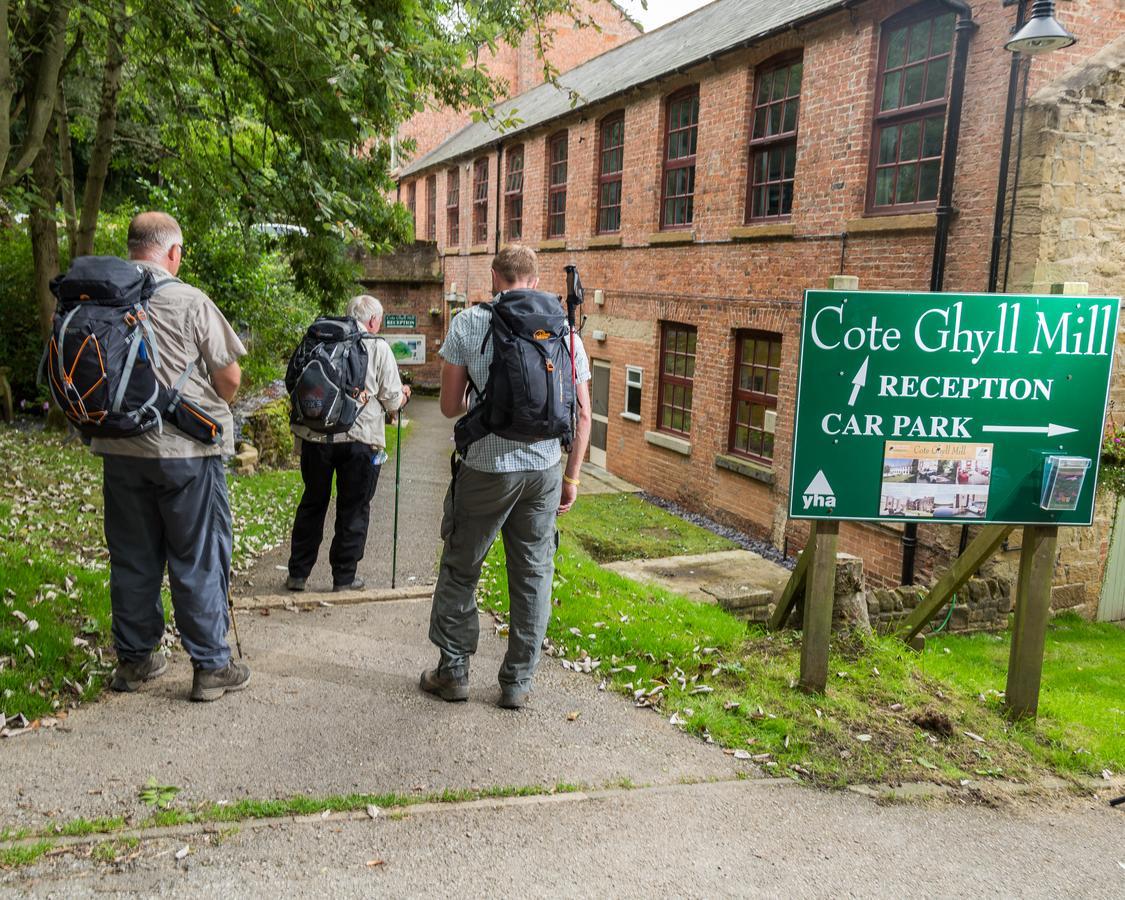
x=166, y=493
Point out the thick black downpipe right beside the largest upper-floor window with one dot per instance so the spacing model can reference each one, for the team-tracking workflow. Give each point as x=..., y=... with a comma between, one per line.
x=965, y=31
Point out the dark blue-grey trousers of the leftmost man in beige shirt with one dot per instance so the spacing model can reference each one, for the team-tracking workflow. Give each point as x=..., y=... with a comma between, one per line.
x=174, y=512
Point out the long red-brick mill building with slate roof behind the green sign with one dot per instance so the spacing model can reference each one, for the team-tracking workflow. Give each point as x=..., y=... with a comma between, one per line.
x=714, y=170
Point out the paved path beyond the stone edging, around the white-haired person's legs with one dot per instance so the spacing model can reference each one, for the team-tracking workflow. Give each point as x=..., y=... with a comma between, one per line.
x=422, y=490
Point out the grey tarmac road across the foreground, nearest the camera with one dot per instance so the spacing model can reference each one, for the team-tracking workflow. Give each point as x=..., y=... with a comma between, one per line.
x=721, y=840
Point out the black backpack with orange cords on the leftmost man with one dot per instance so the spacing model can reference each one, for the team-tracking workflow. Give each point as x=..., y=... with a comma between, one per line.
x=102, y=357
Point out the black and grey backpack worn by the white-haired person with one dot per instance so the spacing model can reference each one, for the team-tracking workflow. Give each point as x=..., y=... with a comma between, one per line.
x=327, y=376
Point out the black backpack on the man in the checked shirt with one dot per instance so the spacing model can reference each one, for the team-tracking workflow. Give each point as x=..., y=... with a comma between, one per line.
x=530, y=393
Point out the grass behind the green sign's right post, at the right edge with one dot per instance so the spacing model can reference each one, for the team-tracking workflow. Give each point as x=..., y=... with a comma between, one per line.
x=1083, y=699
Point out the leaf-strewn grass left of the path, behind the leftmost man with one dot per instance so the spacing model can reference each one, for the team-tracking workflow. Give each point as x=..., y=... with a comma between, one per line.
x=55, y=572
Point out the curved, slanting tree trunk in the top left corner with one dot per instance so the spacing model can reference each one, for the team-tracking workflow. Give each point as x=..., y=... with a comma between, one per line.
x=51, y=38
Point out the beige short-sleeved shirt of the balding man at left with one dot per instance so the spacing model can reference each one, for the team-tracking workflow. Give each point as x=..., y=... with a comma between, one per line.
x=190, y=329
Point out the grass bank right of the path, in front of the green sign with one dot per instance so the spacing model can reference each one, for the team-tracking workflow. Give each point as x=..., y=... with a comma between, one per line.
x=889, y=715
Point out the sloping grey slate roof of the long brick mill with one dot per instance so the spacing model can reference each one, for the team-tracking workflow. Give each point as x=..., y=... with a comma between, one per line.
x=713, y=30
